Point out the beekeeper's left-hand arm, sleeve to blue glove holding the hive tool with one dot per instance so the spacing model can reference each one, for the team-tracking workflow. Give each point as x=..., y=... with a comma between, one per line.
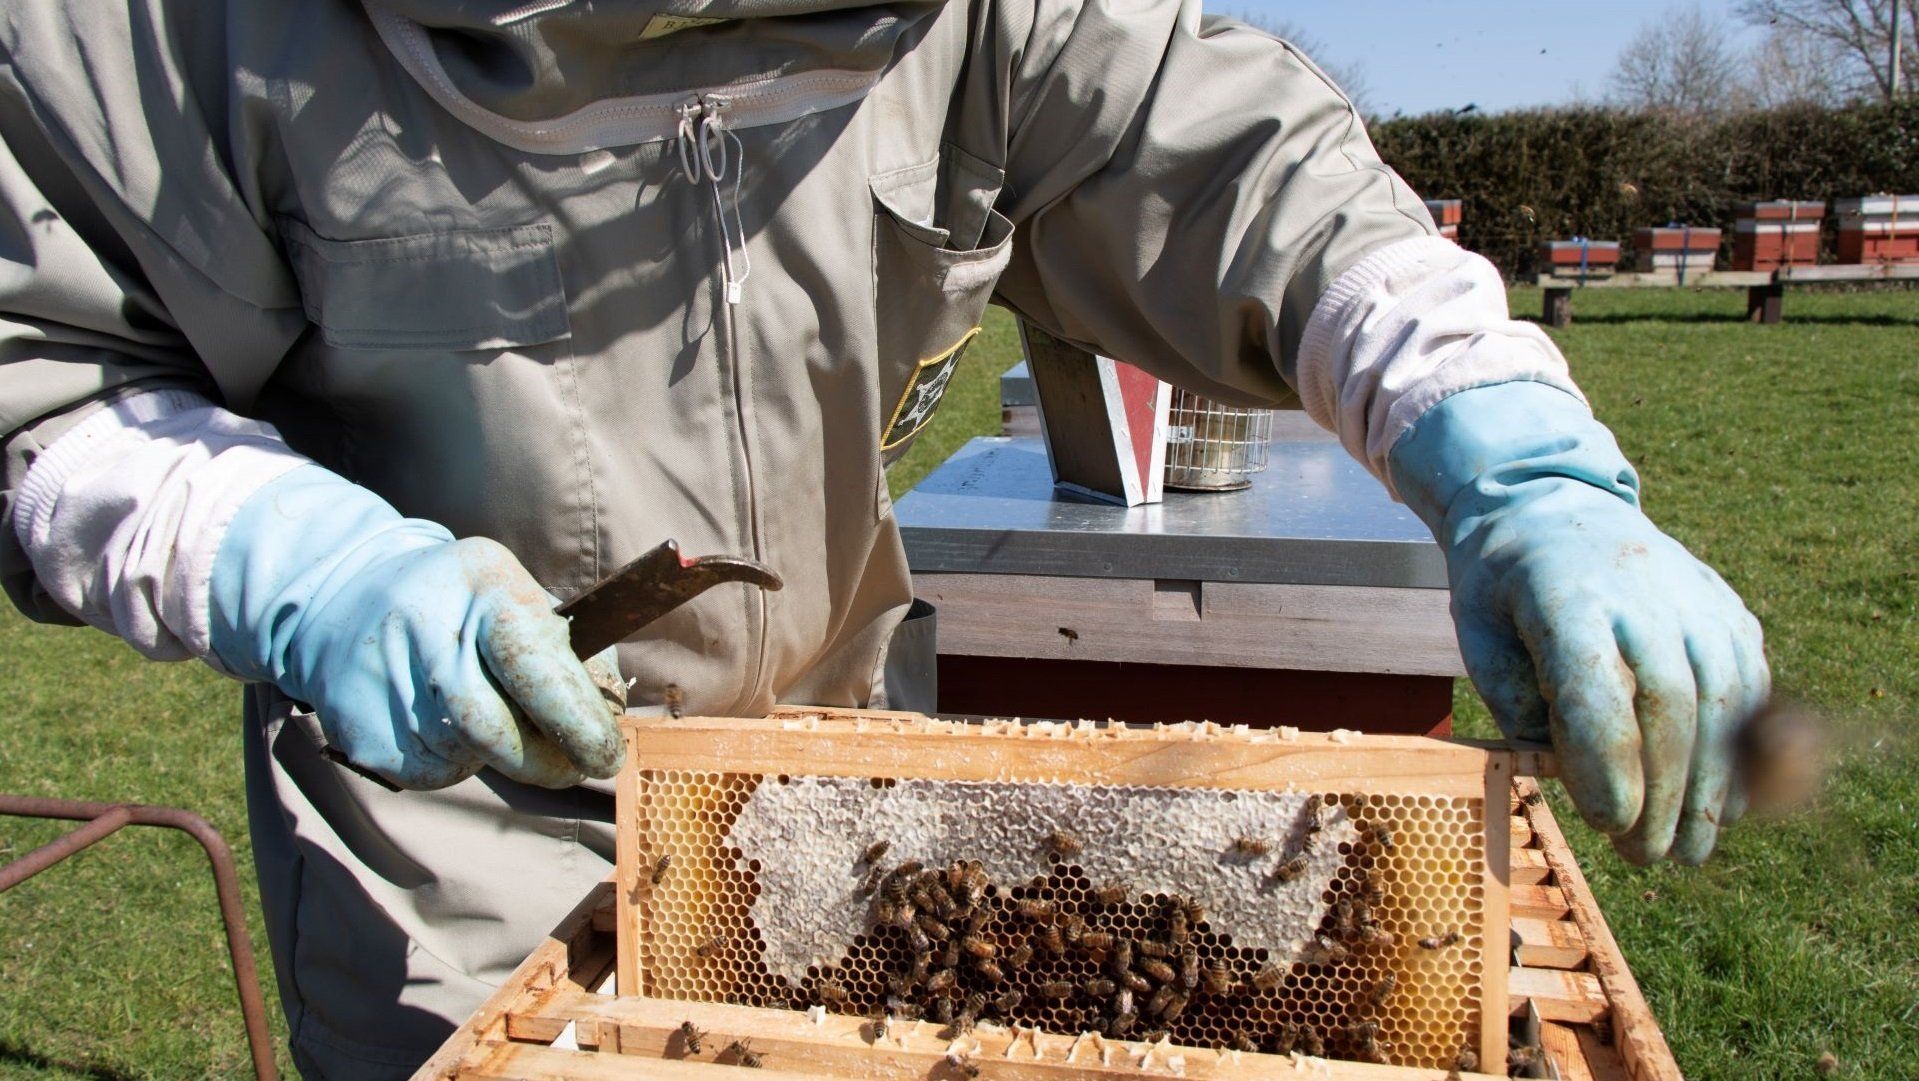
x=135, y=502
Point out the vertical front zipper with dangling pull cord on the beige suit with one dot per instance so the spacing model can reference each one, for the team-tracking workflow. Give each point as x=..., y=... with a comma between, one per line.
x=713, y=158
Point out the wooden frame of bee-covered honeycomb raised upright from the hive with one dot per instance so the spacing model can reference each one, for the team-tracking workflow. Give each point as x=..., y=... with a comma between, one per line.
x=1406, y=863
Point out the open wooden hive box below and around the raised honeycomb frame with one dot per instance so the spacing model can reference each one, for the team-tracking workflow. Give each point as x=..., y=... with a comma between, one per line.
x=556, y=1017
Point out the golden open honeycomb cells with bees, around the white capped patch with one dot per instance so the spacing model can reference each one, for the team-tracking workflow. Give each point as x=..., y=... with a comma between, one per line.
x=1385, y=976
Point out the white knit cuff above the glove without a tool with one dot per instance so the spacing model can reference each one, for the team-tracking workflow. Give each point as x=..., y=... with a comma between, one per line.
x=1404, y=329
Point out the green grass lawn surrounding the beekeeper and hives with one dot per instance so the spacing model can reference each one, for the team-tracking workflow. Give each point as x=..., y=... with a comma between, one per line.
x=1788, y=456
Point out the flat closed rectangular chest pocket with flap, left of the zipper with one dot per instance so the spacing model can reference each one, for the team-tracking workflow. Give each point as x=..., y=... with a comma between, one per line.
x=483, y=289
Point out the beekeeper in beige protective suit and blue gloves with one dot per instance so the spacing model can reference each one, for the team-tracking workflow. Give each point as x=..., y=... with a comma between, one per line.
x=343, y=339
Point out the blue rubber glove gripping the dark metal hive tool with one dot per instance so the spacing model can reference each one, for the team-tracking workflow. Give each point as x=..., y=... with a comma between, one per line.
x=423, y=656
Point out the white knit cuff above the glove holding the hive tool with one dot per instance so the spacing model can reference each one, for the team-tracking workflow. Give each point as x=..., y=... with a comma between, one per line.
x=124, y=514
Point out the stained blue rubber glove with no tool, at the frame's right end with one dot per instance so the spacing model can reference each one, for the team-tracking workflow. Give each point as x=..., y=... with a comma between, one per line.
x=1580, y=621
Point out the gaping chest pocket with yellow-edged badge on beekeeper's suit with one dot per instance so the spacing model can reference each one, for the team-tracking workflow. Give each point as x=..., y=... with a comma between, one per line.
x=937, y=252
